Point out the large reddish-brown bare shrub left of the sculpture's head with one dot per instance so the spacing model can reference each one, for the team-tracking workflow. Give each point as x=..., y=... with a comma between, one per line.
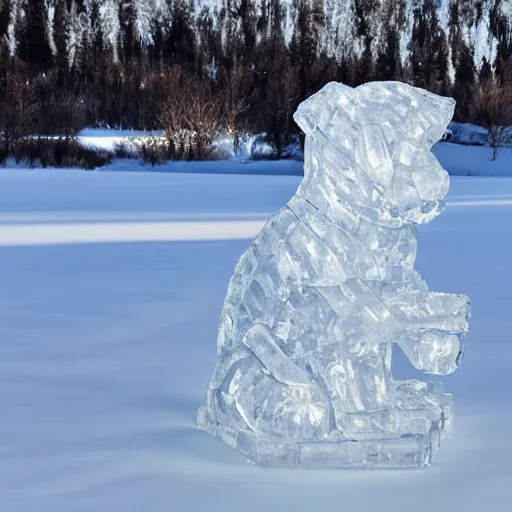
x=190, y=115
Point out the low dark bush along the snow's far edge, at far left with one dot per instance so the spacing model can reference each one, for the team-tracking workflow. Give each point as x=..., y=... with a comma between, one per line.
x=50, y=152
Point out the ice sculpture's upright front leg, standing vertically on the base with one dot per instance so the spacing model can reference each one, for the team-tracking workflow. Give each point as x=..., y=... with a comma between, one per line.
x=356, y=365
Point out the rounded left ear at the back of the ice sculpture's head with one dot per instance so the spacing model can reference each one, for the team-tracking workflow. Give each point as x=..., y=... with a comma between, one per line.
x=319, y=109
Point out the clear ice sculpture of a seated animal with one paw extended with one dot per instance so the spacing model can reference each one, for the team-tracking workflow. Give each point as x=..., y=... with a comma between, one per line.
x=305, y=340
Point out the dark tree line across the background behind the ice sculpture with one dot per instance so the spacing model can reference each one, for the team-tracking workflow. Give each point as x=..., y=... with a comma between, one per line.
x=237, y=73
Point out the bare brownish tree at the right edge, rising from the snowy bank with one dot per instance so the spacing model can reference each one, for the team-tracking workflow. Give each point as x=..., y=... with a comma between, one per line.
x=493, y=110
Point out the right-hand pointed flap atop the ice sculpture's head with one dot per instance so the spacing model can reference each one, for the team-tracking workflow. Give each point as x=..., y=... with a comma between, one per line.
x=424, y=115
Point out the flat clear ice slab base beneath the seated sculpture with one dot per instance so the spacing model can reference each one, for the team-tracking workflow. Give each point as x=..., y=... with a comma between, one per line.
x=416, y=447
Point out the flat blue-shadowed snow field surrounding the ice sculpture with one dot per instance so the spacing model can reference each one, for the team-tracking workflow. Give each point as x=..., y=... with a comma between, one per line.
x=111, y=285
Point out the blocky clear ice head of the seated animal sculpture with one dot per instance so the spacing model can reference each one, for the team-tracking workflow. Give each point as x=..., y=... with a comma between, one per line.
x=368, y=149
